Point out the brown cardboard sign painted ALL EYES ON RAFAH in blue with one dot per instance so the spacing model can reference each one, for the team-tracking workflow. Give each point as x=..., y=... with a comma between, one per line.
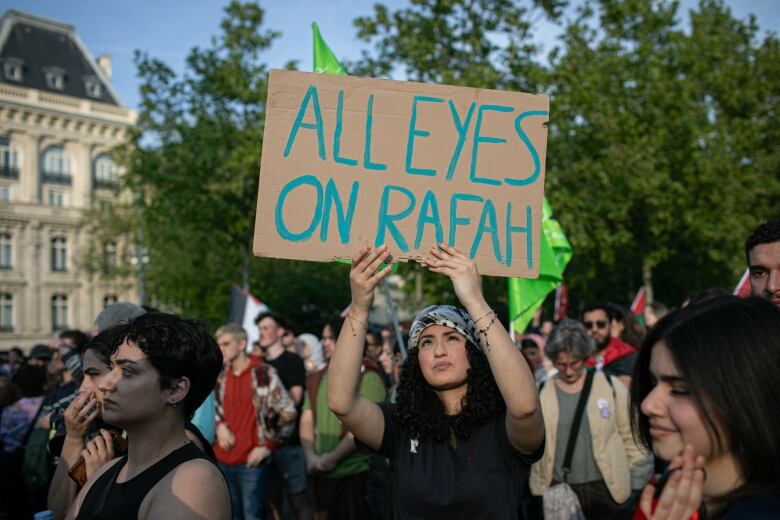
x=352, y=161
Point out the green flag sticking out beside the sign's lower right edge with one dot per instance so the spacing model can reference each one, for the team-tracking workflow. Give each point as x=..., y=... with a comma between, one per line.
x=525, y=295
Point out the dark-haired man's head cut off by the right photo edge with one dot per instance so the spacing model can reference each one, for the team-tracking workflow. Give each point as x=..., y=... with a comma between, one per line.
x=762, y=249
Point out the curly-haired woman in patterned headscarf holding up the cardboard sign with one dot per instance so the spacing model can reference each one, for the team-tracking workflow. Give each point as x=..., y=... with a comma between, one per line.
x=468, y=423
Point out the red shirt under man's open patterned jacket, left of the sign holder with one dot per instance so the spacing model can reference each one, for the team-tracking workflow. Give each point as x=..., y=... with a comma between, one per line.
x=239, y=413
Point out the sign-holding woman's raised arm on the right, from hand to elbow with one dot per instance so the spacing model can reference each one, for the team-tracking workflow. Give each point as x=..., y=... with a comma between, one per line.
x=524, y=424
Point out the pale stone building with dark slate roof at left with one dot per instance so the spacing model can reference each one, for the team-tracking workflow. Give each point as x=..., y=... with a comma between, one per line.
x=59, y=120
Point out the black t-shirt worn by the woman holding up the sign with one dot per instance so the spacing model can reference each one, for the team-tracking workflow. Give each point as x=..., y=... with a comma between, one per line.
x=482, y=477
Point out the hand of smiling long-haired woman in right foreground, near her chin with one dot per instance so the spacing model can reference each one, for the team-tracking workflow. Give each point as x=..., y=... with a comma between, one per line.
x=681, y=495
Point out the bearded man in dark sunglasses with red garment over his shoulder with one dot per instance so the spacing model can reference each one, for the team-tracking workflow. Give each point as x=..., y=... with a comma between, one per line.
x=613, y=356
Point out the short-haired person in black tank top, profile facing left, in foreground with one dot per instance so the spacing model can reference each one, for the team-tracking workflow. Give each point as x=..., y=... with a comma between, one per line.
x=162, y=368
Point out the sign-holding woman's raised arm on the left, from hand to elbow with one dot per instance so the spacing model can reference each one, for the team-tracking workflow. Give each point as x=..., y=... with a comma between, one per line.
x=360, y=415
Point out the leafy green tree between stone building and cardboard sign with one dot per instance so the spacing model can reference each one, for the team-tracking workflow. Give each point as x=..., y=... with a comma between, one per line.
x=192, y=171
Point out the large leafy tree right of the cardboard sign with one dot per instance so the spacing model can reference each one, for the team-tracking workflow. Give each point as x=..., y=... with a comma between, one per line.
x=661, y=156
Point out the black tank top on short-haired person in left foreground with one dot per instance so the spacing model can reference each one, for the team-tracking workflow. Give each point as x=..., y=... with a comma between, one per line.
x=122, y=500
